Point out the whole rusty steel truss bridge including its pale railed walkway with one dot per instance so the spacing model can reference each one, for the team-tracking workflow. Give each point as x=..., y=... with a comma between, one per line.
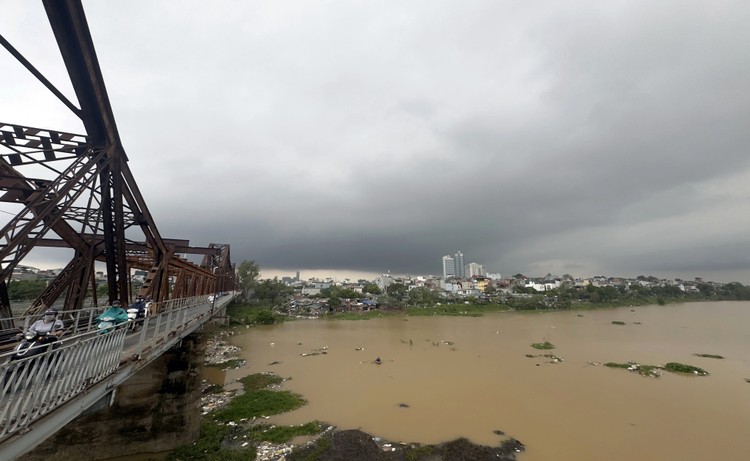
x=75, y=191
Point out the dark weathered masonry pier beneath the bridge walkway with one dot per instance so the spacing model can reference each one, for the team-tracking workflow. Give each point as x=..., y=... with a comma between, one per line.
x=156, y=410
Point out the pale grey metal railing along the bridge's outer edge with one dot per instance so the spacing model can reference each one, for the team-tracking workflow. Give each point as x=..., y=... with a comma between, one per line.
x=35, y=386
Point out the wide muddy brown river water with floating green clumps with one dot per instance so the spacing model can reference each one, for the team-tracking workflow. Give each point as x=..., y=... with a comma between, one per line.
x=467, y=377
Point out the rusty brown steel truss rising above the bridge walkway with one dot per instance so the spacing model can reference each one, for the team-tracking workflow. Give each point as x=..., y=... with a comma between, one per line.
x=76, y=191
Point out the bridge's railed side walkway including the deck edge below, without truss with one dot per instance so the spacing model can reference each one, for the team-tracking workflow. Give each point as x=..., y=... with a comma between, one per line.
x=41, y=394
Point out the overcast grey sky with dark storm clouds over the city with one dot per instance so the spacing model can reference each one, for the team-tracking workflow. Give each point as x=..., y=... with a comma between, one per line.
x=363, y=137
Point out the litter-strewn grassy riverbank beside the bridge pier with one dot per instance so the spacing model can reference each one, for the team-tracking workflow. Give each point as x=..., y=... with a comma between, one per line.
x=244, y=437
